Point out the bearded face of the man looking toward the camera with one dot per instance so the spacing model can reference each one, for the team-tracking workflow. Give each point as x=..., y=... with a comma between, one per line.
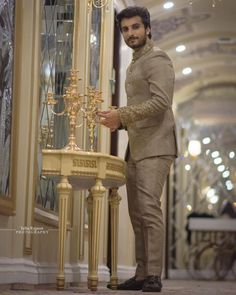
x=134, y=32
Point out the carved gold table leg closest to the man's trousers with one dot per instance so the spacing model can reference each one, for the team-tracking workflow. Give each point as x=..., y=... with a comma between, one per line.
x=114, y=200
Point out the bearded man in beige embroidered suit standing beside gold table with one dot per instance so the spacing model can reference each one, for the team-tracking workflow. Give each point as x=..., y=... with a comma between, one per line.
x=149, y=120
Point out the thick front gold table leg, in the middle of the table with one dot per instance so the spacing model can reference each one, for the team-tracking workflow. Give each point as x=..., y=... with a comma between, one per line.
x=97, y=192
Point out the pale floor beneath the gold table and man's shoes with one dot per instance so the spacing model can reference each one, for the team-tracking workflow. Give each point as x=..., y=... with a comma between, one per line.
x=170, y=287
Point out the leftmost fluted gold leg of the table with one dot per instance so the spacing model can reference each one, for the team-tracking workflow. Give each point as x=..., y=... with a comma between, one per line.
x=64, y=189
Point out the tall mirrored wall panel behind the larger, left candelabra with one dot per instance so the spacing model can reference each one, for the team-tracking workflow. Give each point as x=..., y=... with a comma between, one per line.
x=56, y=63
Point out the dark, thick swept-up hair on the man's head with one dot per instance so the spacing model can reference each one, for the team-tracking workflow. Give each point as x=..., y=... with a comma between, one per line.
x=132, y=11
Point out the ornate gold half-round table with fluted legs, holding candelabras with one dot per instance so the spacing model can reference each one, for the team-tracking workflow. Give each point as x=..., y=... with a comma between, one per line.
x=96, y=172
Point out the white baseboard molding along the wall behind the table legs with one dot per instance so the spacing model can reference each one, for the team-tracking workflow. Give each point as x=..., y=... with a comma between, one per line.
x=22, y=270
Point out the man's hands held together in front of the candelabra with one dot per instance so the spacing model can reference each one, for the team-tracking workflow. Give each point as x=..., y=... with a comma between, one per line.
x=110, y=119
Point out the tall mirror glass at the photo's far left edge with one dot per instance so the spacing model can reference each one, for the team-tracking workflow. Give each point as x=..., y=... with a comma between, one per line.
x=7, y=8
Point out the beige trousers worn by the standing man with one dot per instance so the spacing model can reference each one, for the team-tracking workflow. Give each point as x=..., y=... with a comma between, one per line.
x=145, y=181
